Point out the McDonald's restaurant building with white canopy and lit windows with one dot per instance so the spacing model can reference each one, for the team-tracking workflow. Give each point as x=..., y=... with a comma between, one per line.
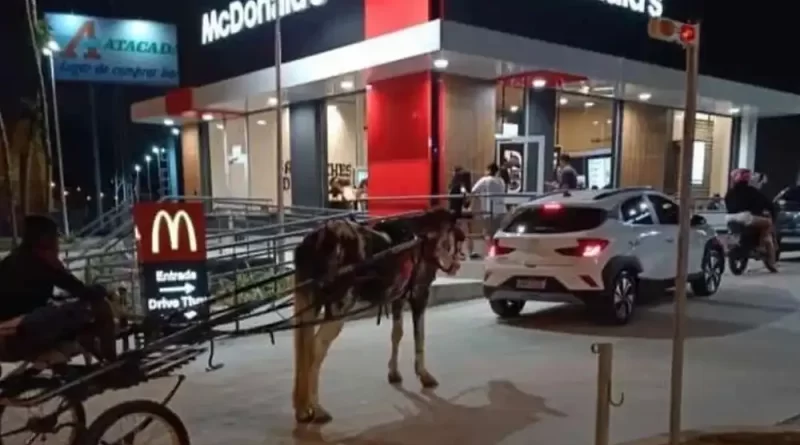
x=402, y=91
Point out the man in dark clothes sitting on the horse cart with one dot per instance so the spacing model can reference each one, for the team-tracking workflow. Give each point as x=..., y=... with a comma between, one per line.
x=39, y=324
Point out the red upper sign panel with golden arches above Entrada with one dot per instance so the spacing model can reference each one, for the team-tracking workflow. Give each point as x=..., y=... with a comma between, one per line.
x=170, y=232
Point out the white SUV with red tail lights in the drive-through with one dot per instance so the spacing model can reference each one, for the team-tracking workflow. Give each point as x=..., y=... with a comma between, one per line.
x=599, y=247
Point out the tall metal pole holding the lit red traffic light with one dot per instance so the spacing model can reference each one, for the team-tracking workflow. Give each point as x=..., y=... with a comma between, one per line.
x=684, y=184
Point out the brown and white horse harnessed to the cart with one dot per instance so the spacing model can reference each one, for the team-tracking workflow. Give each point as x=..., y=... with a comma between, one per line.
x=393, y=280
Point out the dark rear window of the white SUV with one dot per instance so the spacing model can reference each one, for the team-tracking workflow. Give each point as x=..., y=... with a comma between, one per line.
x=555, y=218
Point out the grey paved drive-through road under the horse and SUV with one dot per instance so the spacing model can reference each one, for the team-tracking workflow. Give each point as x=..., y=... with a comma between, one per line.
x=531, y=381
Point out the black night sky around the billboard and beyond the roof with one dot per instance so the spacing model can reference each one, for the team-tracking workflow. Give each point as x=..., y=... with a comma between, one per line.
x=755, y=40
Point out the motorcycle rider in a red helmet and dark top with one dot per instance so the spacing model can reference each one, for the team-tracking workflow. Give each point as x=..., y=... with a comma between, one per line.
x=748, y=206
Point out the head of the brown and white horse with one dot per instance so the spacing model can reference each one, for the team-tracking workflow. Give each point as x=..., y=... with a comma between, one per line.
x=441, y=239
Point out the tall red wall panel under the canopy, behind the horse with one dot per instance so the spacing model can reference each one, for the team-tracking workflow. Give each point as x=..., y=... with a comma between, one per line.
x=398, y=142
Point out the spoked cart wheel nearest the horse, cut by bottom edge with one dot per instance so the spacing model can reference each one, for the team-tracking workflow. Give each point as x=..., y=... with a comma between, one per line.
x=137, y=422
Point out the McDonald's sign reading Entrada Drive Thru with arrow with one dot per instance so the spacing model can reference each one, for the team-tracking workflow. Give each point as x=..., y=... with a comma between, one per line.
x=171, y=247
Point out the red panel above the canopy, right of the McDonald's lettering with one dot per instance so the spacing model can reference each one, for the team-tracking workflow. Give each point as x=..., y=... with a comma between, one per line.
x=385, y=16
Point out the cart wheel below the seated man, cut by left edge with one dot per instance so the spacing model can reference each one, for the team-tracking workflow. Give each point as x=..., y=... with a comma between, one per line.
x=60, y=420
